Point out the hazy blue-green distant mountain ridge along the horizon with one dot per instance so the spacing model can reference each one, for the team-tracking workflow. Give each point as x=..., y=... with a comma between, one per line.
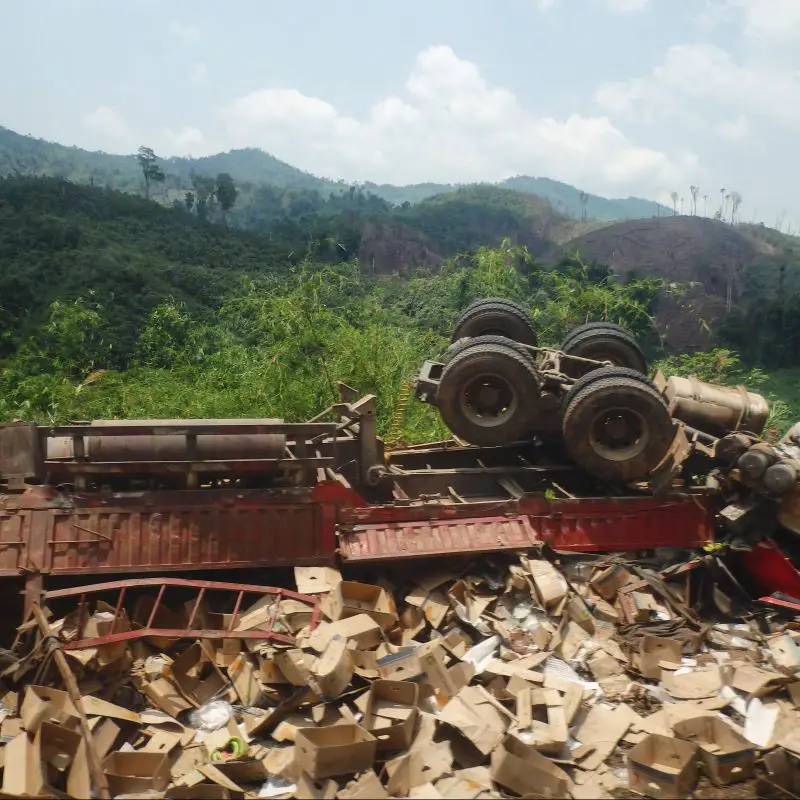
x=26, y=155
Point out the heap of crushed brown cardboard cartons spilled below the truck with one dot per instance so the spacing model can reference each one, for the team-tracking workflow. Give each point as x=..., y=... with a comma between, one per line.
x=577, y=677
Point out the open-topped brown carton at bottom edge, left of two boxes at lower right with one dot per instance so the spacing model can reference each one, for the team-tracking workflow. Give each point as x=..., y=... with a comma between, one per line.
x=662, y=767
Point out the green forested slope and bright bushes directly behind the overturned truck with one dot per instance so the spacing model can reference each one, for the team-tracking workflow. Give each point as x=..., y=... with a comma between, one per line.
x=115, y=306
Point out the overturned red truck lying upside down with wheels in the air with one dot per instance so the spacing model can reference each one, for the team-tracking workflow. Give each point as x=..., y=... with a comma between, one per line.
x=572, y=448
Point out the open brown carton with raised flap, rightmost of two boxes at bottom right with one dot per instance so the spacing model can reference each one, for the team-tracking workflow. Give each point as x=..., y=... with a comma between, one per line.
x=727, y=756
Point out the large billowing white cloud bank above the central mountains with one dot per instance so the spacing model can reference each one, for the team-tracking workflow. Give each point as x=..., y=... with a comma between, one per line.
x=448, y=125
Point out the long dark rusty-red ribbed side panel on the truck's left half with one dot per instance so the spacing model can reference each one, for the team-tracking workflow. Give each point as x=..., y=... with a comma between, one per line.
x=212, y=537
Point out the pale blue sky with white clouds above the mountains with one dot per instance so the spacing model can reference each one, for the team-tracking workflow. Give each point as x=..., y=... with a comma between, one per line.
x=617, y=97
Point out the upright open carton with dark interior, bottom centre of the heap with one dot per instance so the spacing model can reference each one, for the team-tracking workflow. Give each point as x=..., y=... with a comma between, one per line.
x=391, y=713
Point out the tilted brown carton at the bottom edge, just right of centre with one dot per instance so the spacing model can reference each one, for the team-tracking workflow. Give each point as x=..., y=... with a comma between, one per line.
x=521, y=769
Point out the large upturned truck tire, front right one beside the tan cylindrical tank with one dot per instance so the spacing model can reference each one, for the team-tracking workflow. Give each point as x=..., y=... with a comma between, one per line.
x=618, y=428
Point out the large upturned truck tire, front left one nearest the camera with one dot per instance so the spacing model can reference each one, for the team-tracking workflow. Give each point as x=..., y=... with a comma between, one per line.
x=487, y=395
